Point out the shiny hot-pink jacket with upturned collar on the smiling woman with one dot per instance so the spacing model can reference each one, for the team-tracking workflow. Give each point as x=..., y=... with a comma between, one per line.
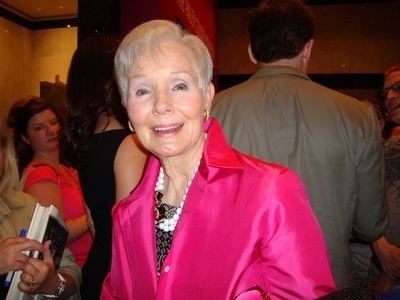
x=246, y=232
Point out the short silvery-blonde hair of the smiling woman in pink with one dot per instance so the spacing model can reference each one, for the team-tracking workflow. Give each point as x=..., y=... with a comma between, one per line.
x=146, y=38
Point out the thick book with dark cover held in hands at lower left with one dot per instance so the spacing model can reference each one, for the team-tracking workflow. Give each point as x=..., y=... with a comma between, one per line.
x=46, y=224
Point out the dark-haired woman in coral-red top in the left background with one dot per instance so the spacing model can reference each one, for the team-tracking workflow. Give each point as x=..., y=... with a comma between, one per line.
x=37, y=134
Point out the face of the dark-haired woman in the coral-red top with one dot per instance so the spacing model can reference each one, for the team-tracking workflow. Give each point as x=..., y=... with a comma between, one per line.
x=42, y=132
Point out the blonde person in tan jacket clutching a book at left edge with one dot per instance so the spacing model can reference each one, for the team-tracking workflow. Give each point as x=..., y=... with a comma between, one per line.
x=16, y=209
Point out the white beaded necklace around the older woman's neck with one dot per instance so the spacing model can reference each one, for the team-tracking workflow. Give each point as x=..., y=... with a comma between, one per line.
x=169, y=224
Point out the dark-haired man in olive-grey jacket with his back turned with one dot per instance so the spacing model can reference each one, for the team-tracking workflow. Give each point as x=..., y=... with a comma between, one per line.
x=333, y=141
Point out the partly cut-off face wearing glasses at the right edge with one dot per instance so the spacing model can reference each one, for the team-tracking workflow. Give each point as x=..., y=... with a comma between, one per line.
x=392, y=99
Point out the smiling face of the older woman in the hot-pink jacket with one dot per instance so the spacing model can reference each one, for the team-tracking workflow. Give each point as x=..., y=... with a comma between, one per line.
x=166, y=104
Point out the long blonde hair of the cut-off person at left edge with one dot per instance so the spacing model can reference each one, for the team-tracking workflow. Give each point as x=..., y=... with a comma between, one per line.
x=9, y=177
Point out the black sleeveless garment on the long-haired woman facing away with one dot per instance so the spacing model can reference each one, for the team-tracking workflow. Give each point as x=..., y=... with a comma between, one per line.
x=98, y=186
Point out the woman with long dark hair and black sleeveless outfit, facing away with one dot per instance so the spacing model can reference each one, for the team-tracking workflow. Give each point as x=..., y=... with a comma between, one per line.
x=106, y=154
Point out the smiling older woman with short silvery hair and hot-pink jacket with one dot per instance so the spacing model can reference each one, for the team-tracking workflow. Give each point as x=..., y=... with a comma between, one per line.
x=205, y=221
